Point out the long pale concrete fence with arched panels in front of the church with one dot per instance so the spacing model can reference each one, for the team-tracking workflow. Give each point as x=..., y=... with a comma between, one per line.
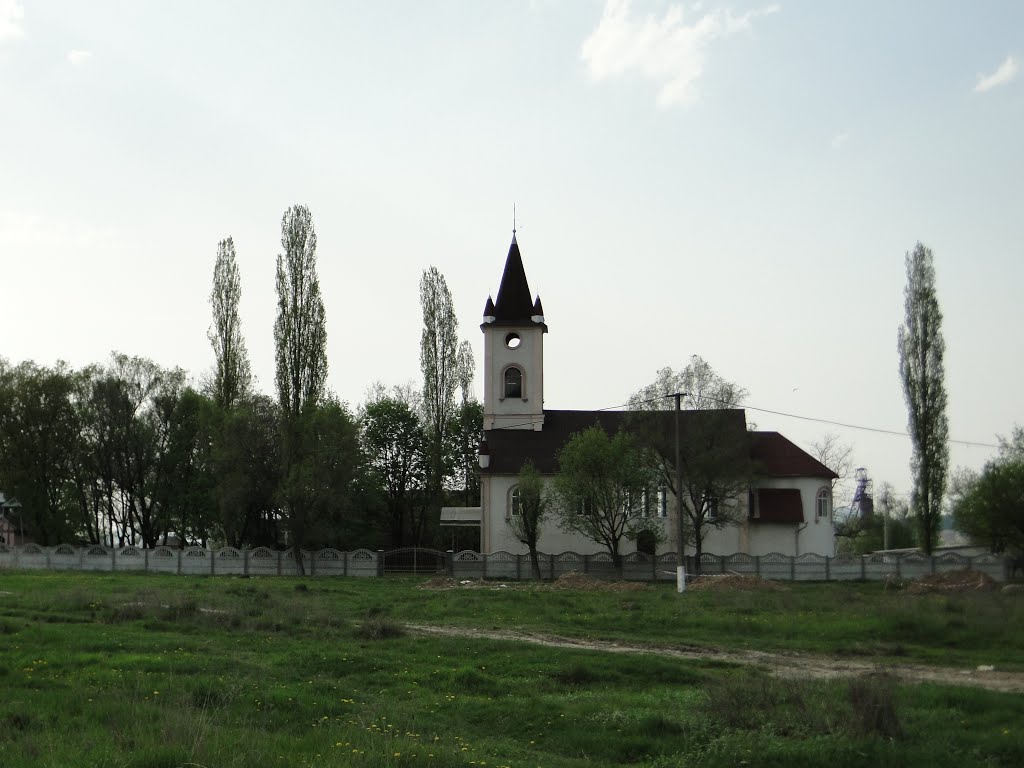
x=499, y=566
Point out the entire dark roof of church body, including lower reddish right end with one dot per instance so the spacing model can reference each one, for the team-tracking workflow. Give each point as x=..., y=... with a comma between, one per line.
x=773, y=454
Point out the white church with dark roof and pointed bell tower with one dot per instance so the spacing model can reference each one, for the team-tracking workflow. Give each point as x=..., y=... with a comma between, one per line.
x=788, y=509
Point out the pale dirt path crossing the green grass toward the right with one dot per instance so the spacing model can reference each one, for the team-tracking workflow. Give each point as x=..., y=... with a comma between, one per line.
x=779, y=663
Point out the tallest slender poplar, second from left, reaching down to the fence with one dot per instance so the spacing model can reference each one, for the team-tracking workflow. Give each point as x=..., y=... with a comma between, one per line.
x=301, y=343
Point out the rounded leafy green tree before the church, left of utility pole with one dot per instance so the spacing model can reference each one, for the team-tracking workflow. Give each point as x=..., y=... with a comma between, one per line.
x=601, y=489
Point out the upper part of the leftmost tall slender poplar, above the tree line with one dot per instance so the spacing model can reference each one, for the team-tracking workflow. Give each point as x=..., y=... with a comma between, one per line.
x=232, y=377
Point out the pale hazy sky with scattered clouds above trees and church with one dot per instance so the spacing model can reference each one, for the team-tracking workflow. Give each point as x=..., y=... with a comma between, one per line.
x=740, y=182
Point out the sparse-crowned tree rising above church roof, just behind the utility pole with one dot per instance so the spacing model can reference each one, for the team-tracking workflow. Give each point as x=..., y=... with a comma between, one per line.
x=714, y=450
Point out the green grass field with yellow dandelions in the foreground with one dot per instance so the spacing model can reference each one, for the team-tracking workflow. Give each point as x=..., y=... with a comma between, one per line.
x=126, y=670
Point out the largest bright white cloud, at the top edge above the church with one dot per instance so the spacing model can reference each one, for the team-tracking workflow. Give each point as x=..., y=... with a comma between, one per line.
x=669, y=51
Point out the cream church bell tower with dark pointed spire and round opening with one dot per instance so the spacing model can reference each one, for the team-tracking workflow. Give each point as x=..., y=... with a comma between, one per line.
x=514, y=353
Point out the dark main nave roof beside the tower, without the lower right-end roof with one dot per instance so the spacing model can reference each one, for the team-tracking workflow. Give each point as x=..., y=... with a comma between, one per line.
x=511, y=448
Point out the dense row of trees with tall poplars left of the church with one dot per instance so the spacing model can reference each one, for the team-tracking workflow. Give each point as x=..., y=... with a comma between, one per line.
x=130, y=452
